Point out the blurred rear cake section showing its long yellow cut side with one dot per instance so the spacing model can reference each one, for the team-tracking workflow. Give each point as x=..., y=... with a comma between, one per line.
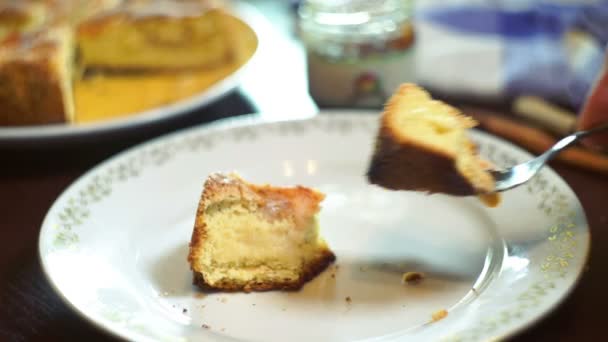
x=156, y=34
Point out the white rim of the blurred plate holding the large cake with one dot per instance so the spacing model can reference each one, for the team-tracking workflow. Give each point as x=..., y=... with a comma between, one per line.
x=27, y=134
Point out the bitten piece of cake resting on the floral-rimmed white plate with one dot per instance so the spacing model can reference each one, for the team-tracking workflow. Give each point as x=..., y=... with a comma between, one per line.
x=256, y=237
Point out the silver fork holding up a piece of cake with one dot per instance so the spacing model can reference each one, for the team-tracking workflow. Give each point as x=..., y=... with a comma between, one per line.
x=519, y=174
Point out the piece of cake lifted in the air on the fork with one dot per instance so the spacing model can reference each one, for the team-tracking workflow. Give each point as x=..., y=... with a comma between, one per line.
x=423, y=145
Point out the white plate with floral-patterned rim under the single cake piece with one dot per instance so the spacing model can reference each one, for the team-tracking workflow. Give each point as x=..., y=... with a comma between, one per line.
x=114, y=244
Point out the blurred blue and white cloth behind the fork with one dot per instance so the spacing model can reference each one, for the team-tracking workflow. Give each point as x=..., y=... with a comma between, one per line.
x=496, y=50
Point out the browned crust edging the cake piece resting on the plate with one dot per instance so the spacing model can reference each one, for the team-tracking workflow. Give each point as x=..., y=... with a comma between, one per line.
x=219, y=187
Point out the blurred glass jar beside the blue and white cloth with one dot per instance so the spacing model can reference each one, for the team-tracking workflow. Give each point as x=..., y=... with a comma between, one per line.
x=358, y=51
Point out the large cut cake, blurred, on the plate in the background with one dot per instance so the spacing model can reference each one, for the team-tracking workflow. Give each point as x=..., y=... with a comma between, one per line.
x=47, y=45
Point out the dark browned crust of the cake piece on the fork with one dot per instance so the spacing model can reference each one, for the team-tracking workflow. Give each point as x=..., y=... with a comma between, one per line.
x=405, y=164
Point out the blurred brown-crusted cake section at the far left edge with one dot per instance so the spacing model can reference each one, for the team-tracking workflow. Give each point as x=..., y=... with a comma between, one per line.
x=35, y=77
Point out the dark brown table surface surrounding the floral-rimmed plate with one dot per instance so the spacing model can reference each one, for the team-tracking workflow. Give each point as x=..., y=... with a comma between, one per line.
x=31, y=179
